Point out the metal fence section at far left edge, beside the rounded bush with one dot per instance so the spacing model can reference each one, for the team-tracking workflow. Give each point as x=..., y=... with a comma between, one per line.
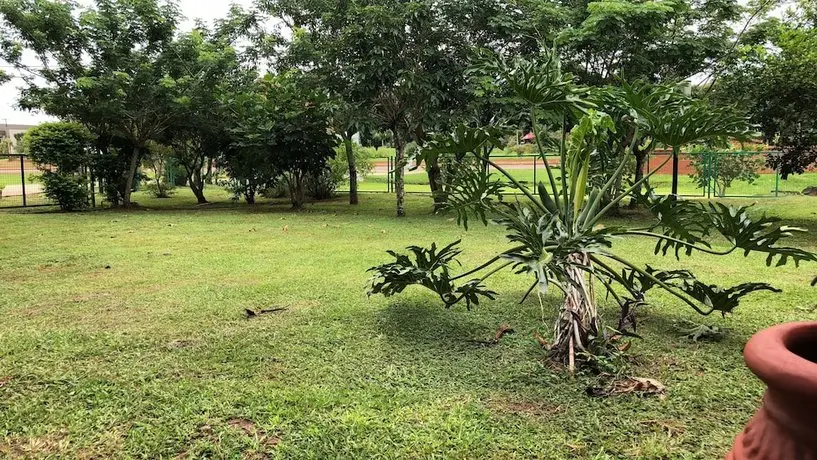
x=19, y=186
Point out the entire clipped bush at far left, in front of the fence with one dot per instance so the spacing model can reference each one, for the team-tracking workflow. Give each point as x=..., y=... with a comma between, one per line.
x=65, y=147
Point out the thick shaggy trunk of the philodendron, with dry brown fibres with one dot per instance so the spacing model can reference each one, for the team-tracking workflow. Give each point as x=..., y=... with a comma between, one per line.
x=579, y=320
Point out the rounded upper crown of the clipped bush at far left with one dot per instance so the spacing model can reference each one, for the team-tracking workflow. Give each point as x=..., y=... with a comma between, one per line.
x=60, y=144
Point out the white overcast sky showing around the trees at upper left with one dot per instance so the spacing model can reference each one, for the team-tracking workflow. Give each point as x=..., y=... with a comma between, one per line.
x=191, y=9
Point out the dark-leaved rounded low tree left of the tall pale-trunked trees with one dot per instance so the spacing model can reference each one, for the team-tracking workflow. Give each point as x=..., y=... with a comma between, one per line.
x=282, y=132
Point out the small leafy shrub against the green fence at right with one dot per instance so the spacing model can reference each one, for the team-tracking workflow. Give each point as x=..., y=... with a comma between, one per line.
x=722, y=169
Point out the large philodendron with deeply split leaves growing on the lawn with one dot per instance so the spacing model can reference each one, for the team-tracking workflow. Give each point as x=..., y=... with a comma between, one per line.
x=556, y=228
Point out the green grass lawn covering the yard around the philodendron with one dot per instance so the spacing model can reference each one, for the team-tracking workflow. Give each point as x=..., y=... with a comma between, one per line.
x=123, y=335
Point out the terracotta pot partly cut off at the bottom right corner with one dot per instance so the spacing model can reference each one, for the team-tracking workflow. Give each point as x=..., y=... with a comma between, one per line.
x=785, y=358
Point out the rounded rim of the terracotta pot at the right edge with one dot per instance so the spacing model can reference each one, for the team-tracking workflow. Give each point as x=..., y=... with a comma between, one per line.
x=768, y=354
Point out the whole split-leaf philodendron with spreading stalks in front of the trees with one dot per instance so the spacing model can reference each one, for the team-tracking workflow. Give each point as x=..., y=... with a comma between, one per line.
x=556, y=227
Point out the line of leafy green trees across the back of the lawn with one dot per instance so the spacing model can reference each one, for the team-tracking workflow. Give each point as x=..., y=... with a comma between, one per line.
x=269, y=94
